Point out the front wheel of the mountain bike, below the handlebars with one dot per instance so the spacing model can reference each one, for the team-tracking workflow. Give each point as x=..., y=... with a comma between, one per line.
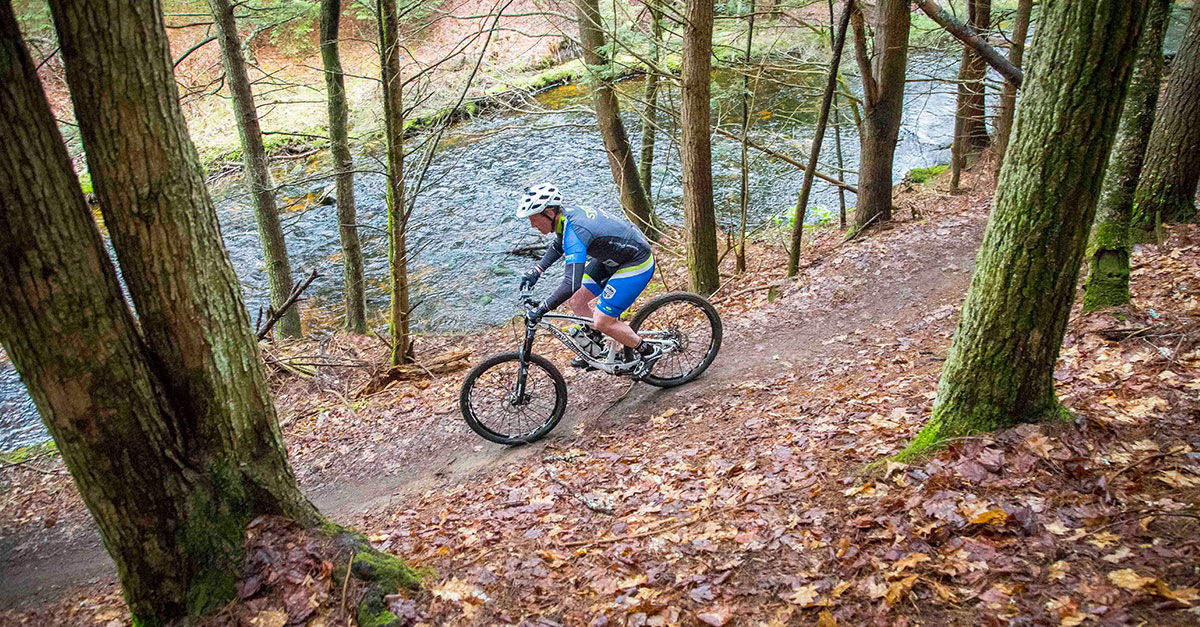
x=490, y=405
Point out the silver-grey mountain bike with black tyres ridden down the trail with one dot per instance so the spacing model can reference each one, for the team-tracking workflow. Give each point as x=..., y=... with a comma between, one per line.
x=517, y=398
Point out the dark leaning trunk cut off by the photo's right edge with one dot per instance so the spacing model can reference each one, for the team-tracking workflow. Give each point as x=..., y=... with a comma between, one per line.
x=1168, y=184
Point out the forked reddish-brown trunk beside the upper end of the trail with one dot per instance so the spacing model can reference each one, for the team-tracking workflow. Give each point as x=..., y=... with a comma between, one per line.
x=884, y=76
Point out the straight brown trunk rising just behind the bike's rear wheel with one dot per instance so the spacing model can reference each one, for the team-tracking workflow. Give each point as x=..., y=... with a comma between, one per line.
x=697, y=151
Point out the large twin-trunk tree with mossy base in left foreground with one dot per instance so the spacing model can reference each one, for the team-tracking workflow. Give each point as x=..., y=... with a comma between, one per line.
x=170, y=433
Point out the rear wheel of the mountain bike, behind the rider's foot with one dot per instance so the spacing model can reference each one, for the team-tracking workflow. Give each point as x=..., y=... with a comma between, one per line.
x=692, y=324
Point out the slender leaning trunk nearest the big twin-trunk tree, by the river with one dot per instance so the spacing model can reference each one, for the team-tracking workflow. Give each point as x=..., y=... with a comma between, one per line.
x=259, y=174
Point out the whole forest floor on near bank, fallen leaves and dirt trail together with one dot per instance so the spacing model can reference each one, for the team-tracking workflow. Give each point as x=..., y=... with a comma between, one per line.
x=746, y=498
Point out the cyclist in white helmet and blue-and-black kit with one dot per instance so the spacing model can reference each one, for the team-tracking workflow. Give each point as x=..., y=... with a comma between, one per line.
x=621, y=267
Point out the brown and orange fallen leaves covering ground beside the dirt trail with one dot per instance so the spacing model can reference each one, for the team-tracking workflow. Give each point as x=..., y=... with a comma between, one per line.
x=752, y=500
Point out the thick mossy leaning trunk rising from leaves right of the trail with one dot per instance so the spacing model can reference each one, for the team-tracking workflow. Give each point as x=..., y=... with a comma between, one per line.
x=999, y=372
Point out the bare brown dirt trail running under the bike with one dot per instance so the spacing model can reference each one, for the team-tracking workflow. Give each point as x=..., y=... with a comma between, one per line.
x=887, y=282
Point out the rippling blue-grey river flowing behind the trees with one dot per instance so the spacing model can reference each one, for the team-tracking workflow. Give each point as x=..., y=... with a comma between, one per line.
x=464, y=278
